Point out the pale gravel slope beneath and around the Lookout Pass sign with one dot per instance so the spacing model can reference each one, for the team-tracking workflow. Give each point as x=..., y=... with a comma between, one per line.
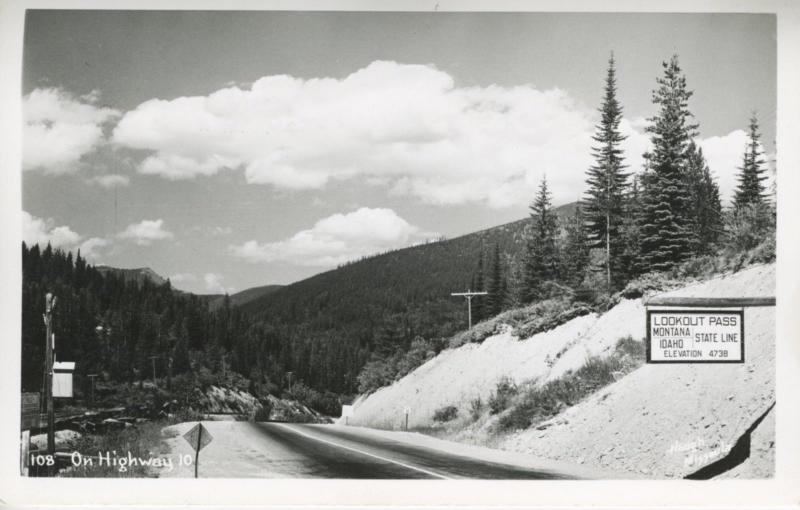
x=670, y=420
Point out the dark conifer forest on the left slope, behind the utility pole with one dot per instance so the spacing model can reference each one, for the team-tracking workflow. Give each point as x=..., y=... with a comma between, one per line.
x=112, y=326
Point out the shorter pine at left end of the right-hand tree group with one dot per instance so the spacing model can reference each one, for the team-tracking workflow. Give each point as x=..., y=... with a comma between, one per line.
x=541, y=261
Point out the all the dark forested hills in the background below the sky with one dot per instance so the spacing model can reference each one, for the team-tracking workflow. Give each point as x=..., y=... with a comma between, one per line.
x=323, y=330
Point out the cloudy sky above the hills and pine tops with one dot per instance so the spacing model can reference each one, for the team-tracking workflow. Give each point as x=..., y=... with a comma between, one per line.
x=227, y=150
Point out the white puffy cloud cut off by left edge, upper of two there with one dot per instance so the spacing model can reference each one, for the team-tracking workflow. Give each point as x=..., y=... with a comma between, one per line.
x=60, y=129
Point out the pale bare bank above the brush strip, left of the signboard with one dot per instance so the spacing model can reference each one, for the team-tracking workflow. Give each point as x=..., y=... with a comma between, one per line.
x=457, y=376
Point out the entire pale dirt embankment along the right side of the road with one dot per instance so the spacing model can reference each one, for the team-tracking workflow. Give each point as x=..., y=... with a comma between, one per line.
x=660, y=420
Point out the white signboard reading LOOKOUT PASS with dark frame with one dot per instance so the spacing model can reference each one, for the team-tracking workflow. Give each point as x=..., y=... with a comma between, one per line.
x=695, y=336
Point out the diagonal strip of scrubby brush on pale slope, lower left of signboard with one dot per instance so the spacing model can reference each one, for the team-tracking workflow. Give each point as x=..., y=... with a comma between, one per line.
x=538, y=403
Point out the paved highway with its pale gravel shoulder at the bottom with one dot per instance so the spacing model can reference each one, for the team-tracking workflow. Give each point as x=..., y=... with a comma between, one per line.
x=282, y=450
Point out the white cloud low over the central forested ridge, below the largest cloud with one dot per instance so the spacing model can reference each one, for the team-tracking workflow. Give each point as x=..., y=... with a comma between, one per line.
x=336, y=239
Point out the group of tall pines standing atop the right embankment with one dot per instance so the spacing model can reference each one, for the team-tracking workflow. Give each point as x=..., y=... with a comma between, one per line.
x=632, y=223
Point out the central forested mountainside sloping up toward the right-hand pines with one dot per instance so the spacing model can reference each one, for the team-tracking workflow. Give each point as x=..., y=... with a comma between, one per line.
x=327, y=327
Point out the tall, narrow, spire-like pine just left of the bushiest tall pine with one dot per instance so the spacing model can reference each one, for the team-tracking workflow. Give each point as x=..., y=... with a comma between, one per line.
x=603, y=206
